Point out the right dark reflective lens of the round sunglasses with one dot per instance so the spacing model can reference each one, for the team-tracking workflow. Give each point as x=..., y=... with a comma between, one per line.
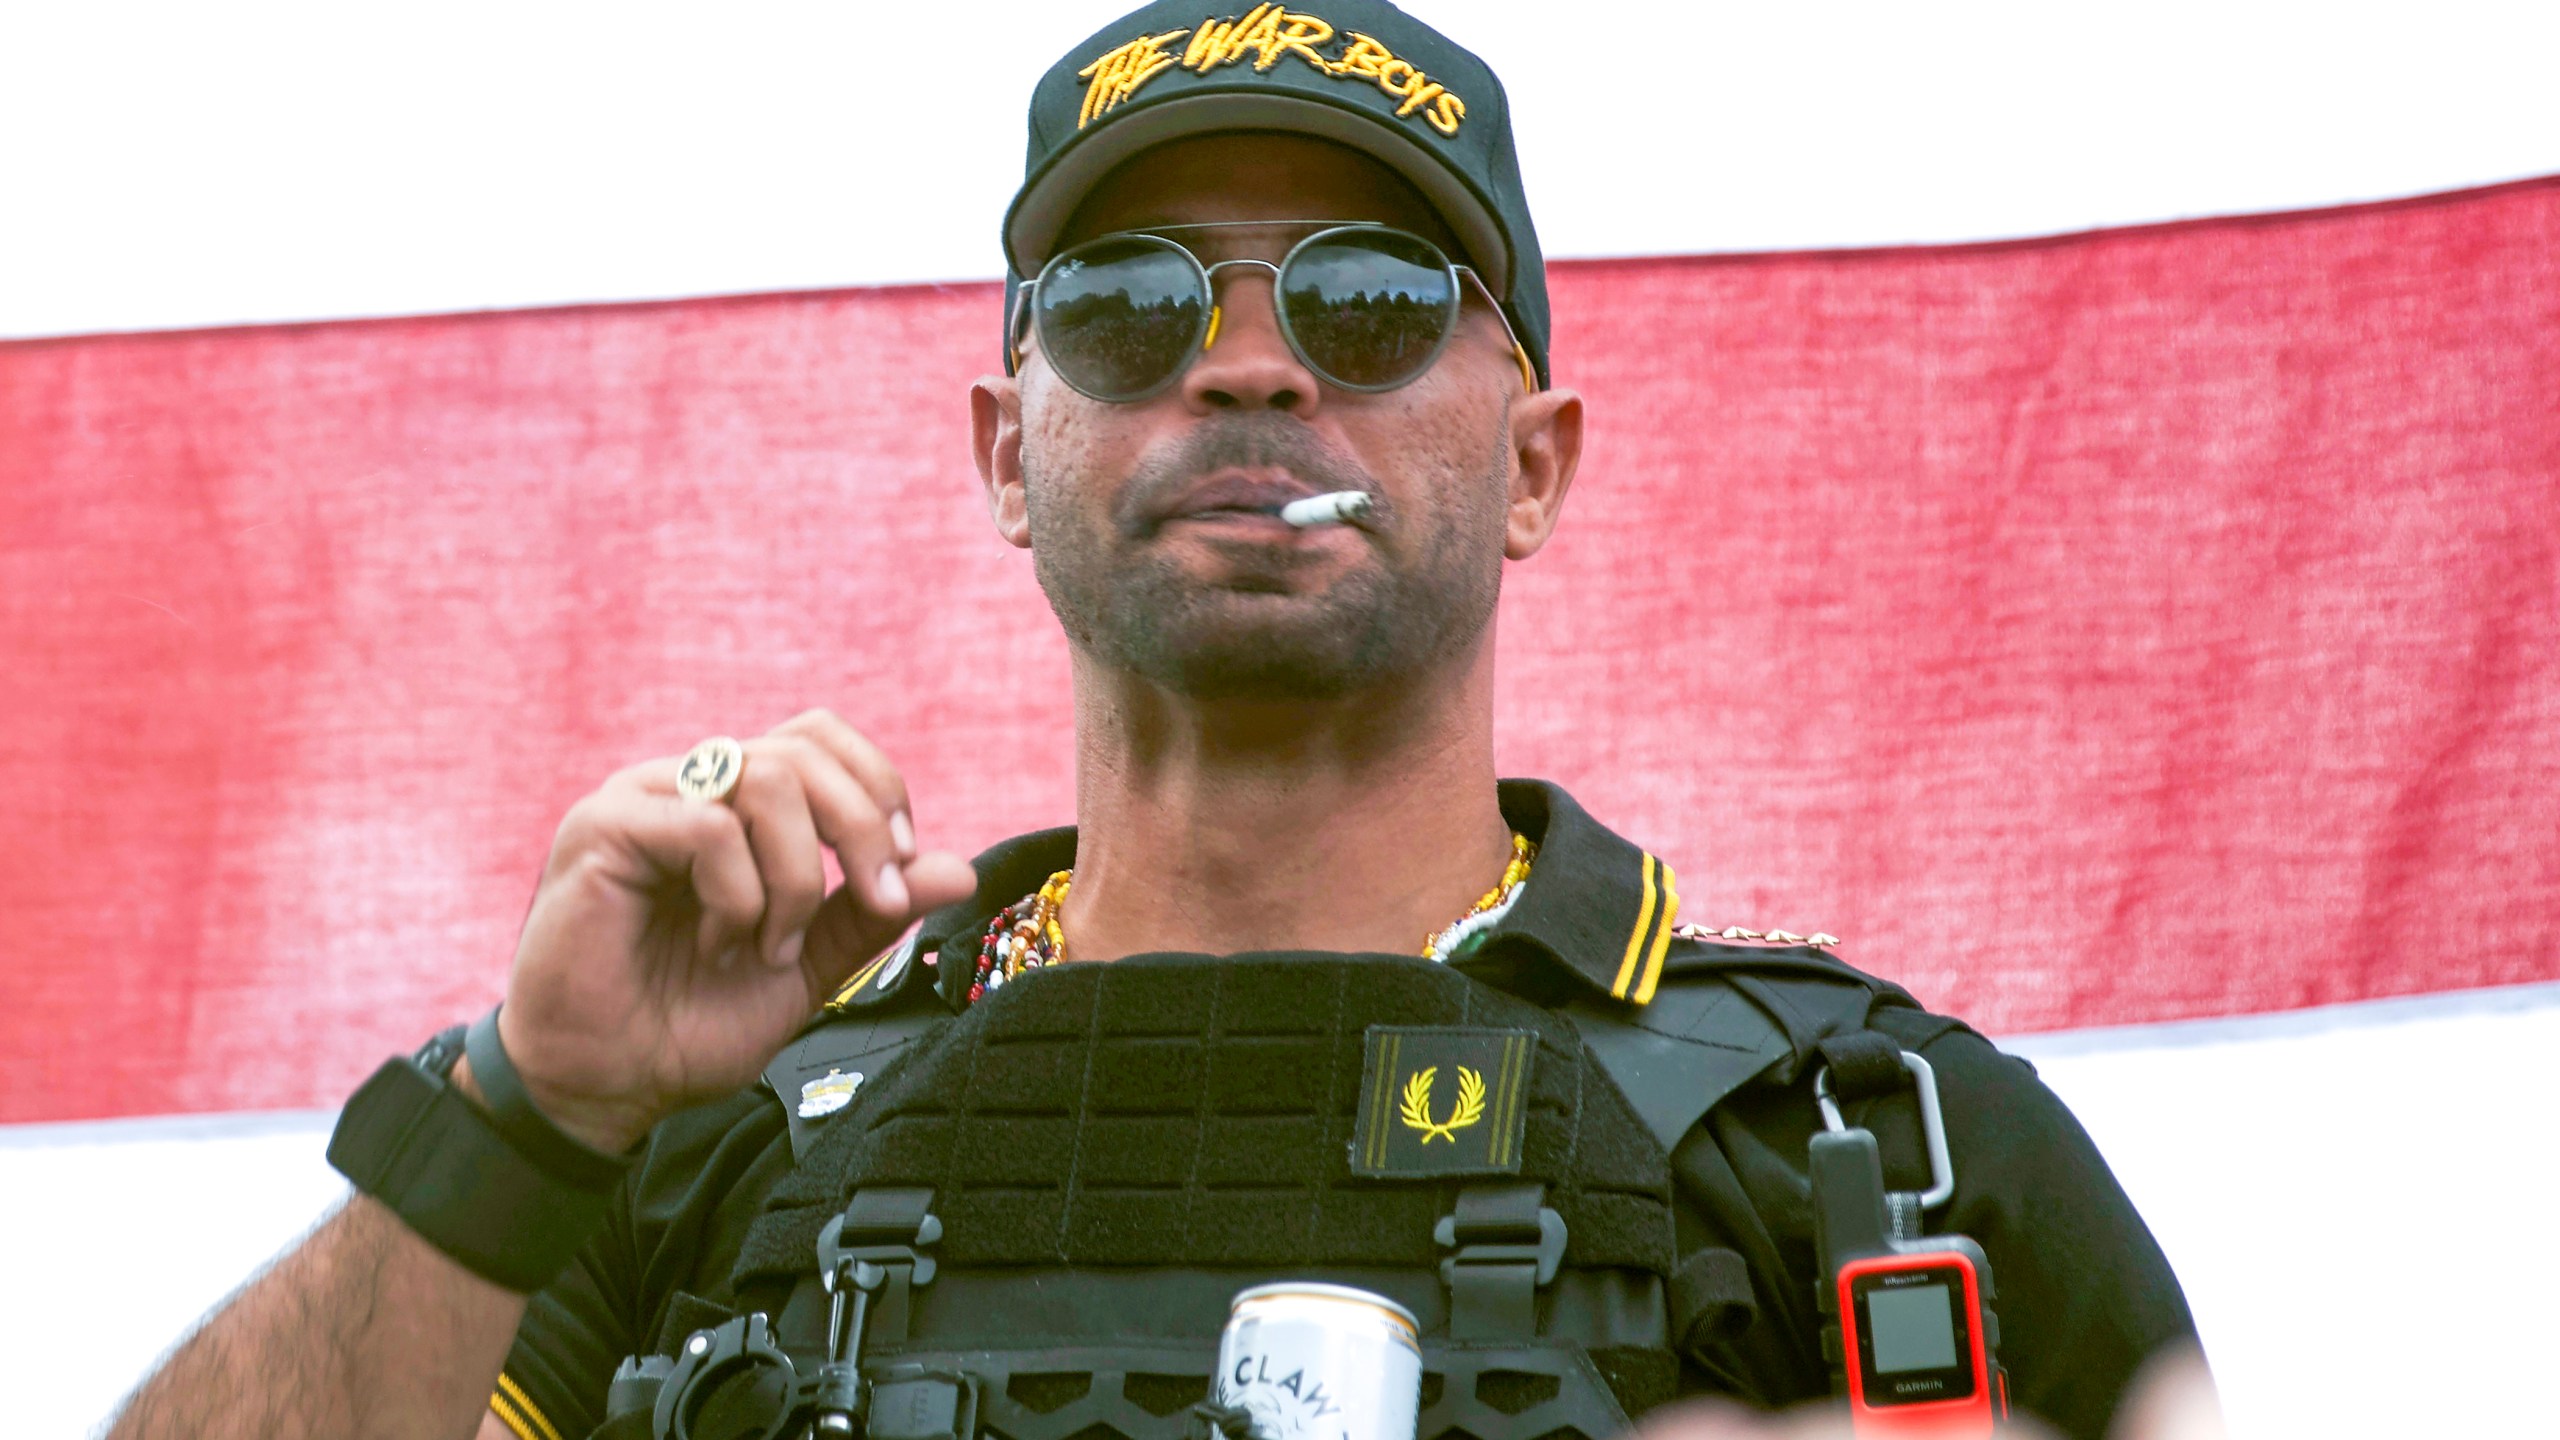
x=1368, y=309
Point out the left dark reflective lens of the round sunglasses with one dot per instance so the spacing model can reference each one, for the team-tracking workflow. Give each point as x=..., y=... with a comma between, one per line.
x=1120, y=316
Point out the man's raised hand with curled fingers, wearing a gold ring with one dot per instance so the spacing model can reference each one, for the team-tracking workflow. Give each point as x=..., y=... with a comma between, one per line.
x=677, y=944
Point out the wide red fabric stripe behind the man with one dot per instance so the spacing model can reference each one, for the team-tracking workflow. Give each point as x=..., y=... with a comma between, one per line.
x=2111, y=629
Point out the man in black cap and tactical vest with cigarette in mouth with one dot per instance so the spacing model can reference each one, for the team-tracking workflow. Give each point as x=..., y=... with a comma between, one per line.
x=1256, y=260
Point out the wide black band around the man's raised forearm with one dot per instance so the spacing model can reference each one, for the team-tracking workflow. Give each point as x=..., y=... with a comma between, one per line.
x=444, y=1167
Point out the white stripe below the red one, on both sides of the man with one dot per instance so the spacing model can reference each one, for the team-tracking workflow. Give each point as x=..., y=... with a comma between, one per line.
x=2346, y=1193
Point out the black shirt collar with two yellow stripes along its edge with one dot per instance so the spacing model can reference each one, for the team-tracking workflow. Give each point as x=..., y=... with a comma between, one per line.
x=1596, y=913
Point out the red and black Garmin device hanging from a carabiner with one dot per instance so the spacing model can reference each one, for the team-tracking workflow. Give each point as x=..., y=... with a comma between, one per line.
x=1914, y=1339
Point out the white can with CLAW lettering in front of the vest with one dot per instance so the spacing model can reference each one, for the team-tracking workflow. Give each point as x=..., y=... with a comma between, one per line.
x=1312, y=1362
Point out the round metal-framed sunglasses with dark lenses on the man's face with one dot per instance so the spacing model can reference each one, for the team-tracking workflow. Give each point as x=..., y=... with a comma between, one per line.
x=1363, y=306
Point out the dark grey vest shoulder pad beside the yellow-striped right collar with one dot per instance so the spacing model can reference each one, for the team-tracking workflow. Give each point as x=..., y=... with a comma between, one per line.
x=1719, y=1019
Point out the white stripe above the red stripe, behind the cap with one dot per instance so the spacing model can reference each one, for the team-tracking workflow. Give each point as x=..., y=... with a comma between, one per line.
x=293, y=160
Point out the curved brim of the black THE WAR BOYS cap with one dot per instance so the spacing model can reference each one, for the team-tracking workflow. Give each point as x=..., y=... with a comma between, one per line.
x=1048, y=199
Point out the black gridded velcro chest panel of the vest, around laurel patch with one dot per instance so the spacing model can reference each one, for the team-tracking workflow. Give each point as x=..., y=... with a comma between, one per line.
x=1197, y=1111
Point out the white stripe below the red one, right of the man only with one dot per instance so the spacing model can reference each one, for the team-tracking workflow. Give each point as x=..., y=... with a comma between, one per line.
x=2351, y=1198
